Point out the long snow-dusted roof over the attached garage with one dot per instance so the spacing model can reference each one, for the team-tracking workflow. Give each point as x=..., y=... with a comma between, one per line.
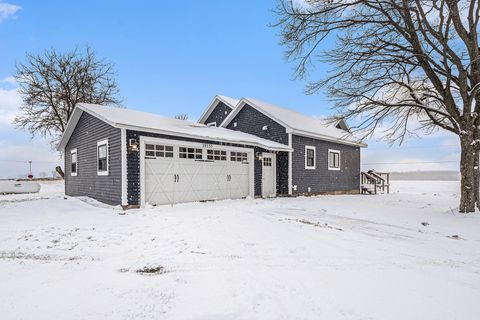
x=149, y=122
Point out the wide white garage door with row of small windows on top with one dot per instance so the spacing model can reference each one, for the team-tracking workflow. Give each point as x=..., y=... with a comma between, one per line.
x=175, y=173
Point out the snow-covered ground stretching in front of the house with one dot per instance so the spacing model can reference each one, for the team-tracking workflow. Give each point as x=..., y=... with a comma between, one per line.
x=407, y=255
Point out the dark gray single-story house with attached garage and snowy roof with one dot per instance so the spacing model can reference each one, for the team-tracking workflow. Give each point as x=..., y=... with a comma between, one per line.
x=238, y=148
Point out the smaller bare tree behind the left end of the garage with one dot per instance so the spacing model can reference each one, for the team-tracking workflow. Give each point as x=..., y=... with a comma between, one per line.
x=52, y=83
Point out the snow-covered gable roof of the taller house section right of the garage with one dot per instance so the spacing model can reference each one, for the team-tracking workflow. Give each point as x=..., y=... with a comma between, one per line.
x=298, y=123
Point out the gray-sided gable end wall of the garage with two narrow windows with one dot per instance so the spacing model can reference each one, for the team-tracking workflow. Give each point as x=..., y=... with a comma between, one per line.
x=87, y=133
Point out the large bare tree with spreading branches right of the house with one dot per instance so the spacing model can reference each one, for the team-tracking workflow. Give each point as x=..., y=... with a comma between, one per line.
x=401, y=67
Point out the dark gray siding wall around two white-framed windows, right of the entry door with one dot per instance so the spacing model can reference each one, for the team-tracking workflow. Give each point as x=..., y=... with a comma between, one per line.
x=321, y=179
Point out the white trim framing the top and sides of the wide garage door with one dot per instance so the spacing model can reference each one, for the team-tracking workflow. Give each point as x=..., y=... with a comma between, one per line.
x=204, y=145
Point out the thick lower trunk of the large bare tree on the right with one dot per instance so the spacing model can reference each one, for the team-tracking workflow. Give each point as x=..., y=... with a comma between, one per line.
x=469, y=176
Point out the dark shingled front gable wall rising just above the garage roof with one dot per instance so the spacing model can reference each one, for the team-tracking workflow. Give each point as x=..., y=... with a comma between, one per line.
x=252, y=121
